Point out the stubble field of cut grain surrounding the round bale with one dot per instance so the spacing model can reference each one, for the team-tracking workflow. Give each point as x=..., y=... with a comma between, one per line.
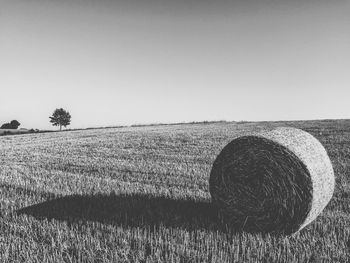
x=140, y=194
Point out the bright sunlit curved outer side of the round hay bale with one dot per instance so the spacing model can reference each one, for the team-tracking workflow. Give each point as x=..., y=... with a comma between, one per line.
x=312, y=153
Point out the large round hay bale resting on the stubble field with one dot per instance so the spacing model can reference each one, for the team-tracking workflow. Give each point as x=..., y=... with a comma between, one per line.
x=275, y=181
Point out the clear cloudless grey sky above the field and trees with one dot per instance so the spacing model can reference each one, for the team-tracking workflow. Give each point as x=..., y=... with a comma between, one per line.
x=111, y=62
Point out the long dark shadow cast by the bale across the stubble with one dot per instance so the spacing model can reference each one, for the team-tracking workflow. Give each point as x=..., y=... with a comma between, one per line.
x=135, y=210
